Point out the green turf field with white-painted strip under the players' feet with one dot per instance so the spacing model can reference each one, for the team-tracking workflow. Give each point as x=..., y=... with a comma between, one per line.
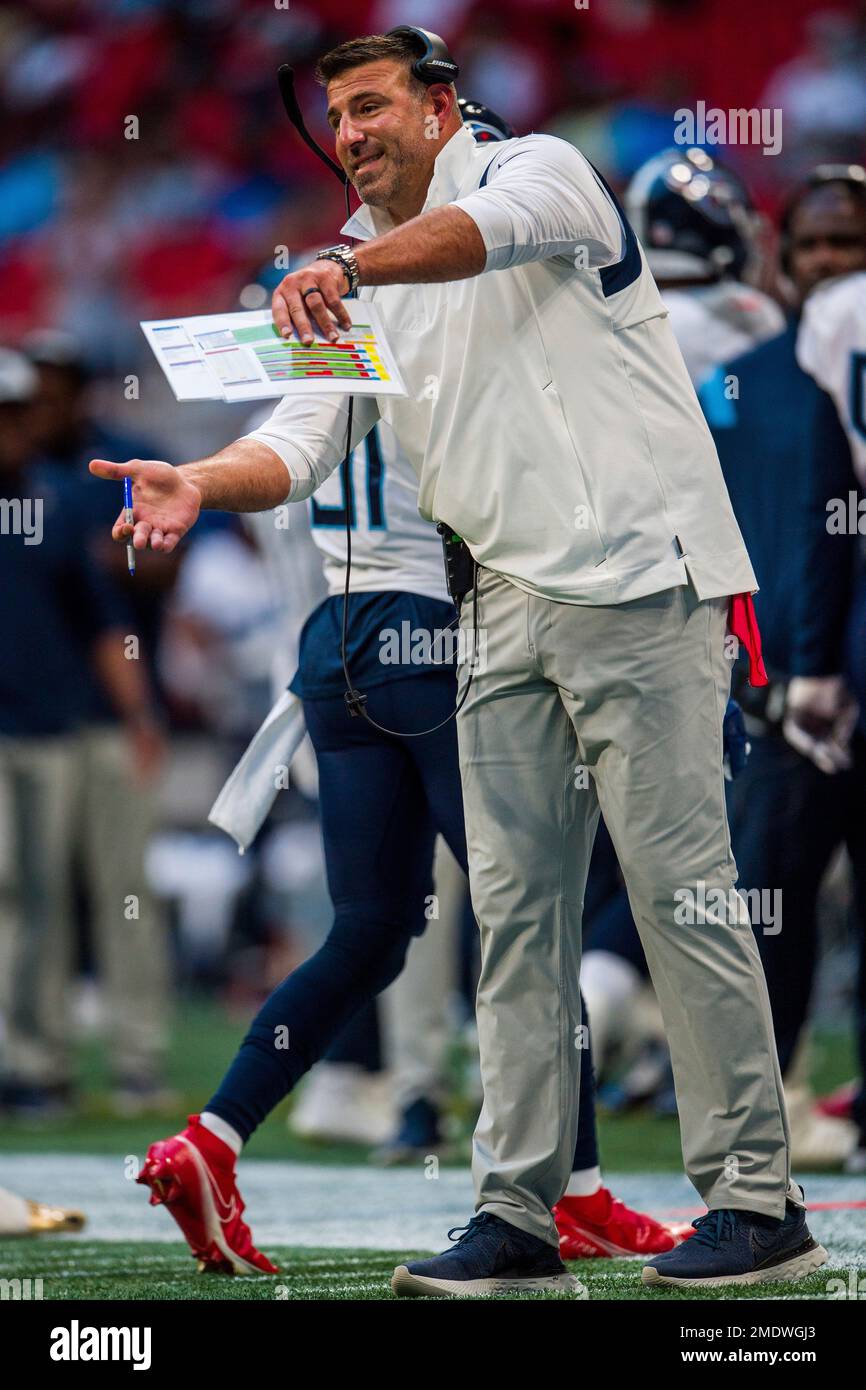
x=298, y=1196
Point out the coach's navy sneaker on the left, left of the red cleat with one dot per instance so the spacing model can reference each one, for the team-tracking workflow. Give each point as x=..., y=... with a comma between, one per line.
x=491, y=1257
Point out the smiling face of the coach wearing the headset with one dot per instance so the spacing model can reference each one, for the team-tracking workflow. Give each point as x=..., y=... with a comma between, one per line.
x=389, y=131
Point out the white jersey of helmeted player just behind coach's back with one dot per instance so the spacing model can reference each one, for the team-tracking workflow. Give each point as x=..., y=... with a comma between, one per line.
x=717, y=323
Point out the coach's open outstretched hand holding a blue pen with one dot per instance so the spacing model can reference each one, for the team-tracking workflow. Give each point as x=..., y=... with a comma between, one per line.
x=165, y=504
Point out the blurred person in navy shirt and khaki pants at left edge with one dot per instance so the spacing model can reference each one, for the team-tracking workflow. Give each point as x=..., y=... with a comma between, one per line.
x=63, y=640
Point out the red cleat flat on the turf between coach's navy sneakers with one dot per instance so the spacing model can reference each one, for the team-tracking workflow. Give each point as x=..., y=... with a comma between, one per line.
x=603, y=1227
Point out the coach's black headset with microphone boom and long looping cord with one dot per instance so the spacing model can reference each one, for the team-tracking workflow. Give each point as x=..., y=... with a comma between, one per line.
x=433, y=65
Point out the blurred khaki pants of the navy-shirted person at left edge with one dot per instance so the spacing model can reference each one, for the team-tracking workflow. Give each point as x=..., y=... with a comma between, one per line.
x=69, y=801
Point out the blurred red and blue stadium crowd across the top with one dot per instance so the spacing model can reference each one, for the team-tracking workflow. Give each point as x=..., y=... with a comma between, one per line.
x=99, y=230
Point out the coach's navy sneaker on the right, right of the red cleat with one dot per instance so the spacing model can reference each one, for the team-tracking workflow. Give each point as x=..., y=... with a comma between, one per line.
x=733, y=1248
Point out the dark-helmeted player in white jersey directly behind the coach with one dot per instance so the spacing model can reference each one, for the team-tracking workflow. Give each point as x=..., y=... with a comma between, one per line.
x=701, y=236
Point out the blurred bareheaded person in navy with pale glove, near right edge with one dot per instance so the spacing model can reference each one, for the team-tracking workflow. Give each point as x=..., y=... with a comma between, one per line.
x=804, y=794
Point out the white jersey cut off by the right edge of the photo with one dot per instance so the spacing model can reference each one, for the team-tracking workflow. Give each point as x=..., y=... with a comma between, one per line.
x=832, y=348
